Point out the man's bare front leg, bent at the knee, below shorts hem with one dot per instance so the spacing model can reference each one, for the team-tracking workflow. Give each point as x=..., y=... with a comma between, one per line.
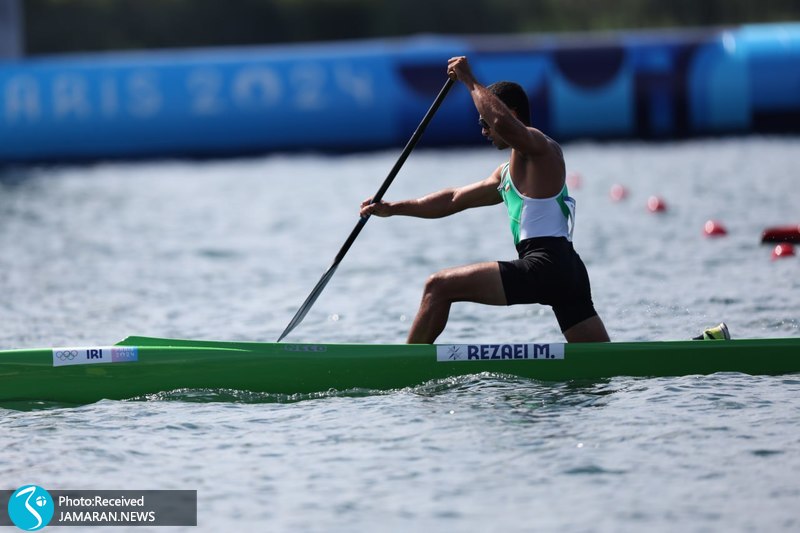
x=478, y=283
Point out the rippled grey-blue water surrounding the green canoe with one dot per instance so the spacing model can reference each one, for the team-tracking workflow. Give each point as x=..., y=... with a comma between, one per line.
x=228, y=250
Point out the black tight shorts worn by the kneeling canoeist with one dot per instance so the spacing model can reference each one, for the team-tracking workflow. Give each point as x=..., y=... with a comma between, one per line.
x=549, y=272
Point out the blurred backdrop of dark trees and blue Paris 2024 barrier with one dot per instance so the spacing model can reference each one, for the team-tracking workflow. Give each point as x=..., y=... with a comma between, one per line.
x=87, y=80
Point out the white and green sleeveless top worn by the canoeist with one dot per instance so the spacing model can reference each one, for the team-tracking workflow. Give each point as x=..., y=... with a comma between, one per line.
x=537, y=217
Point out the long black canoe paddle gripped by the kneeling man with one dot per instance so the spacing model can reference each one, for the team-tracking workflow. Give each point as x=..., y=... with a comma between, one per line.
x=412, y=142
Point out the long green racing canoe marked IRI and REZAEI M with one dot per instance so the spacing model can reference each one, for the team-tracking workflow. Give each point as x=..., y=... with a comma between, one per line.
x=142, y=365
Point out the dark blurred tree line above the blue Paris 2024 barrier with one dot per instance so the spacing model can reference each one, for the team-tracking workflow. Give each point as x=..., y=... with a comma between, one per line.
x=90, y=25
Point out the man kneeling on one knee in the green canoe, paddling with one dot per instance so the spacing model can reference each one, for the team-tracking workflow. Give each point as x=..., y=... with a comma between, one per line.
x=532, y=184
